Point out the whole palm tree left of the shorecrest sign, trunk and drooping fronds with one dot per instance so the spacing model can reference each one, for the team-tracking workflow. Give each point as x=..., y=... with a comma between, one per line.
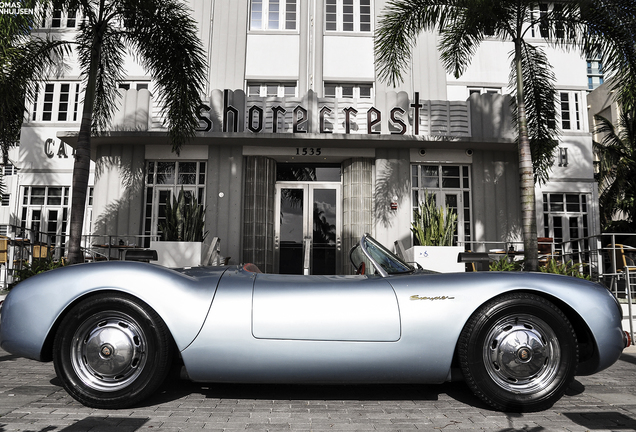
x=164, y=39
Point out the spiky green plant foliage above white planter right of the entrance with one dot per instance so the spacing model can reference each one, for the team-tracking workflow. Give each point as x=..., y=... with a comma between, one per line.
x=433, y=225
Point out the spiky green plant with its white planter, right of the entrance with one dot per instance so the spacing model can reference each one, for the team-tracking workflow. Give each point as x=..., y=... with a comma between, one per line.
x=433, y=230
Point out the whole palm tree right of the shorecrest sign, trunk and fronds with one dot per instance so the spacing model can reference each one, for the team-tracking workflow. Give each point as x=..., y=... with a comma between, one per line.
x=464, y=24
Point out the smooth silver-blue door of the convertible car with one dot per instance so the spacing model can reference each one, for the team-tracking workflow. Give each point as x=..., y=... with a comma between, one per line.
x=324, y=308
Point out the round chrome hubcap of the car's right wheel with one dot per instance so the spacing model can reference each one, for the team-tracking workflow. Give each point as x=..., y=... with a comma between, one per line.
x=522, y=354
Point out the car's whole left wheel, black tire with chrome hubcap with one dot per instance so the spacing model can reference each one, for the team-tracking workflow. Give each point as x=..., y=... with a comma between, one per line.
x=112, y=351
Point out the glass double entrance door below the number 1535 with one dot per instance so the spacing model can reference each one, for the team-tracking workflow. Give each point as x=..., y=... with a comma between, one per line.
x=308, y=228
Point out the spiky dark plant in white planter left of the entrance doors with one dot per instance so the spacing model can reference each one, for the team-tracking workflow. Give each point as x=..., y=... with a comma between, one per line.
x=182, y=232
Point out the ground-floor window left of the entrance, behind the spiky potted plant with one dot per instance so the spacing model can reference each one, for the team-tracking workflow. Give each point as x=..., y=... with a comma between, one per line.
x=165, y=179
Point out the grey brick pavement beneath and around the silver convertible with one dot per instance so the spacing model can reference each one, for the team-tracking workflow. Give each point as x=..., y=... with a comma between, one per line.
x=31, y=399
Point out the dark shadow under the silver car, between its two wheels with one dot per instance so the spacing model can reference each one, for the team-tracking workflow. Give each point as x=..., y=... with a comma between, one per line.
x=176, y=389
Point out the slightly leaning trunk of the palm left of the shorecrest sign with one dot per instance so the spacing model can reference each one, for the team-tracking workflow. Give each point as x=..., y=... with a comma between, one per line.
x=81, y=167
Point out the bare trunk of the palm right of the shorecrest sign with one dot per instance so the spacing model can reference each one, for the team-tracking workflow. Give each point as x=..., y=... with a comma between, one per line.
x=528, y=205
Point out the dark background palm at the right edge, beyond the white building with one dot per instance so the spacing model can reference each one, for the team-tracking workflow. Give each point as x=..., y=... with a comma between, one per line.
x=617, y=170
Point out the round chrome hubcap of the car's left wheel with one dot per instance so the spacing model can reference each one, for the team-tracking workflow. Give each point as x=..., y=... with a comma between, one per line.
x=109, y=351
